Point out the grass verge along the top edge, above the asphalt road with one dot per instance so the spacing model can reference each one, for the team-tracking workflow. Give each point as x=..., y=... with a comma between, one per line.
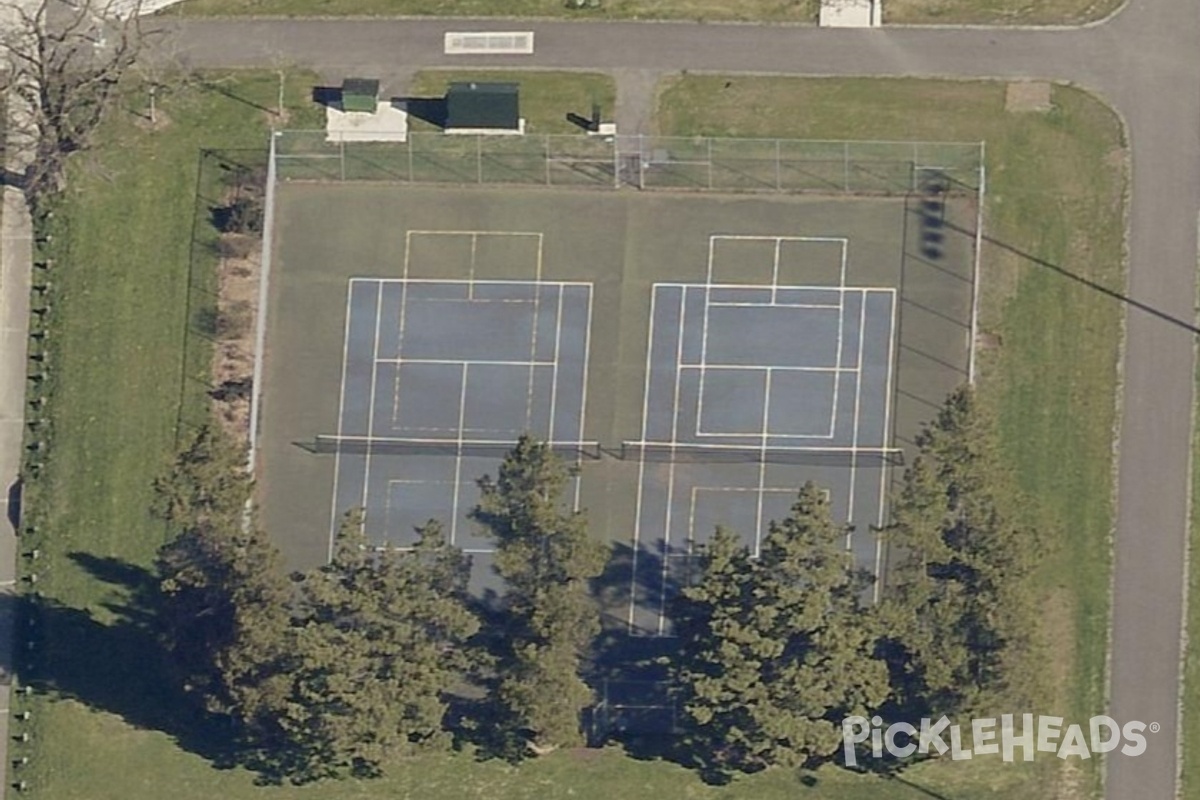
x=997, y=13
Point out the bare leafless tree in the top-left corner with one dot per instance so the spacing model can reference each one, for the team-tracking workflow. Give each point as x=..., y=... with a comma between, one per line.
x=64, y=61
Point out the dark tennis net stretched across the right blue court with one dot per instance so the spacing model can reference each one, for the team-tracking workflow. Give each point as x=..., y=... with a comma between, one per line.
x=703, y=454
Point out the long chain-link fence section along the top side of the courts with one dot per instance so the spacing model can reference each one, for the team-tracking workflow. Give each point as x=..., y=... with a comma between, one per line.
x=645, y=163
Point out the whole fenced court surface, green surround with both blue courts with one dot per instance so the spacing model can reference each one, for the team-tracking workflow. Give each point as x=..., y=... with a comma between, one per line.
x=787, y=300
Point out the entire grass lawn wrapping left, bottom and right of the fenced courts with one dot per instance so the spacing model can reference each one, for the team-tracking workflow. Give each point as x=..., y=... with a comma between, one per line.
x=104, y=729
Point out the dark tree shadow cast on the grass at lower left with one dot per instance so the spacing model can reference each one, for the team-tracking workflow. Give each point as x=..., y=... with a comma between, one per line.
x=111, y=659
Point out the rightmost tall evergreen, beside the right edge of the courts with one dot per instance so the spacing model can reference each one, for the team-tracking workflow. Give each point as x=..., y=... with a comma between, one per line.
x=959, y=604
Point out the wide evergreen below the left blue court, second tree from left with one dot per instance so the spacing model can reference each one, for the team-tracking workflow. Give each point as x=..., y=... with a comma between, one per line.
x=379, y=639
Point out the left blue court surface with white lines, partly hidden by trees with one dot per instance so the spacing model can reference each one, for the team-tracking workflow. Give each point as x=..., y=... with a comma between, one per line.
x=440, y=380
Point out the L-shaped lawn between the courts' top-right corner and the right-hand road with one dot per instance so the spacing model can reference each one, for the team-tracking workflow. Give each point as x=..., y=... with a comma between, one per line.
x=1057, y=189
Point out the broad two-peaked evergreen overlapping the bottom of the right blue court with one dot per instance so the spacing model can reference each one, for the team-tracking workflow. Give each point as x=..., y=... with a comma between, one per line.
x=777, y=651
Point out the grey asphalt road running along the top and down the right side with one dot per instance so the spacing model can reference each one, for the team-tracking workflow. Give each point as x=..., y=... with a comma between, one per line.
x=1145, y=62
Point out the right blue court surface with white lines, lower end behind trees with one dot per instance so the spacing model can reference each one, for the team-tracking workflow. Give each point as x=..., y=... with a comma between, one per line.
x=751, y=393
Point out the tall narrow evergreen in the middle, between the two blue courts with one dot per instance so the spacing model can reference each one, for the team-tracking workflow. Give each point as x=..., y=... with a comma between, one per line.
x=548, y=560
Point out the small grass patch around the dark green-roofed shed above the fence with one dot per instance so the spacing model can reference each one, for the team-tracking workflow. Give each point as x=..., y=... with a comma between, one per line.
x=545, y=97
